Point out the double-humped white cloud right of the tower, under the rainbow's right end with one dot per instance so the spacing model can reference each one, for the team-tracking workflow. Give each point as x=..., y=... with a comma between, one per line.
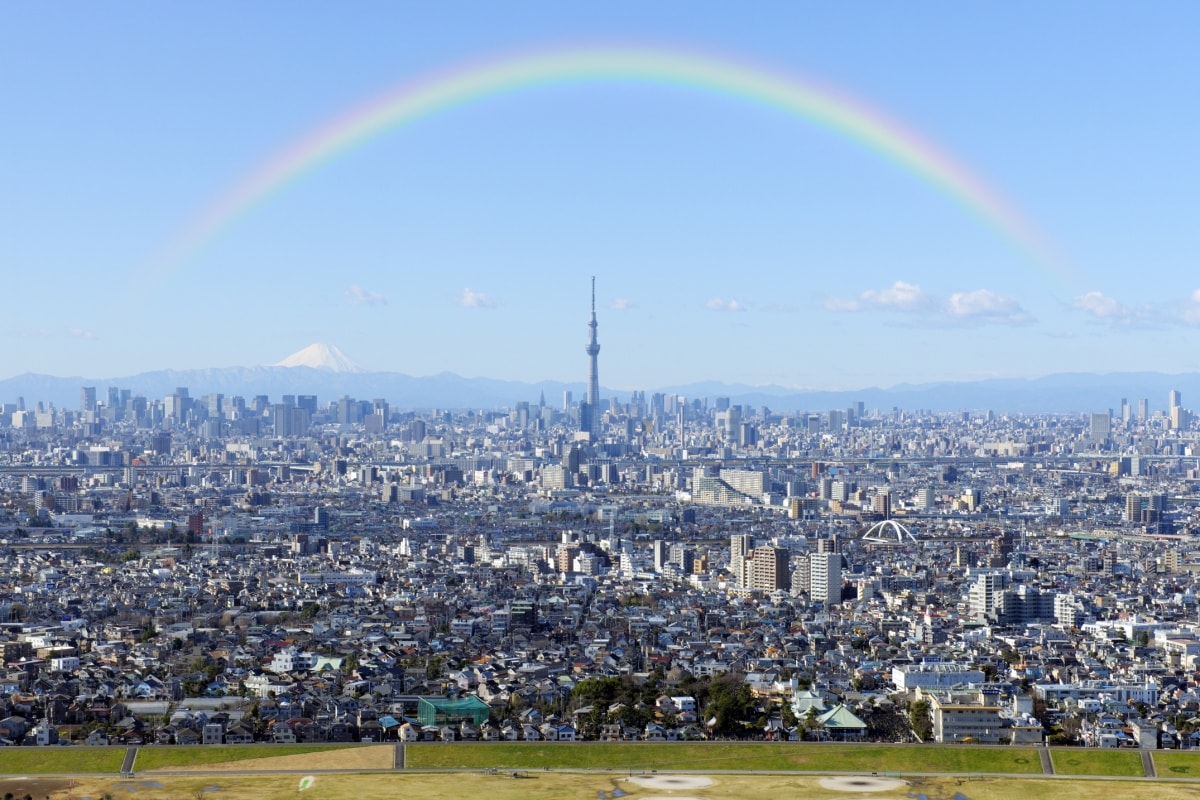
x=975, y=308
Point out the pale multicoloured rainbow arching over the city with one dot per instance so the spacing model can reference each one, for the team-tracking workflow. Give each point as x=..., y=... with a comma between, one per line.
x=441, y=92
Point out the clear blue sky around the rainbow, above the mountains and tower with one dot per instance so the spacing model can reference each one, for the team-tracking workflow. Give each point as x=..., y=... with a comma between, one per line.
x=729, y=242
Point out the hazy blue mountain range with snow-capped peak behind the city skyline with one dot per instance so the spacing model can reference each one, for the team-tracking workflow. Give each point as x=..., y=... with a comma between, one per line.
x=327, y=372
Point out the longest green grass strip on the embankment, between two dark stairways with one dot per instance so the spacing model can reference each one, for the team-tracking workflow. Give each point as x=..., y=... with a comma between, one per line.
x=725, y=756
